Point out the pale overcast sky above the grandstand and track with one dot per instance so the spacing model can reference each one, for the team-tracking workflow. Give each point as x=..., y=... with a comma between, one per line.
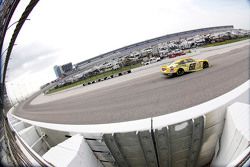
x=63, y=31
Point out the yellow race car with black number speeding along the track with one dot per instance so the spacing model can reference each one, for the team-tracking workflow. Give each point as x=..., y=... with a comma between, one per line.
x=180, y=66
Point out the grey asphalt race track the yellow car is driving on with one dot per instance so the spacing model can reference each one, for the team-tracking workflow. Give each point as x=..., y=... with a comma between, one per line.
x=146, y=96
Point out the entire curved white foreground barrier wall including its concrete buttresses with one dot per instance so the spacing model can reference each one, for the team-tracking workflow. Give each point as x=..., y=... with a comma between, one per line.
x=190, y=137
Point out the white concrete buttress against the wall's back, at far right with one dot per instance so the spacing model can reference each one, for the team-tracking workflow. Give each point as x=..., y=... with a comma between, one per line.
x=236, y=134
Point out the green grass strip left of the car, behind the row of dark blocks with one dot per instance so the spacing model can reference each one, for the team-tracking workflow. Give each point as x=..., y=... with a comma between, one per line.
x=94, y=78
